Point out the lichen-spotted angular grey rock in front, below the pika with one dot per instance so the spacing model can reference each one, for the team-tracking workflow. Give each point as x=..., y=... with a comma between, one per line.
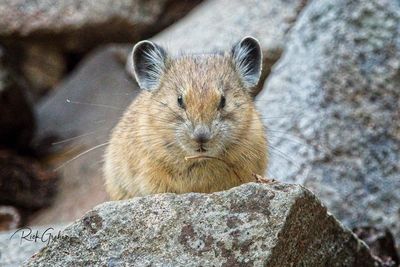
x=250, y=225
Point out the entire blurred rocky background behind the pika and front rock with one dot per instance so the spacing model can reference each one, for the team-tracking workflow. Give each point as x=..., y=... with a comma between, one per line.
x=330, y=101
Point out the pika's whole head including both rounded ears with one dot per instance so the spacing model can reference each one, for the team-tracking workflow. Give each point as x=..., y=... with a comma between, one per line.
x=203, y=101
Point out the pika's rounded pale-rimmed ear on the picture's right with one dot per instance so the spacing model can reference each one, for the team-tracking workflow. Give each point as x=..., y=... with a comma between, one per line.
x=247, y=57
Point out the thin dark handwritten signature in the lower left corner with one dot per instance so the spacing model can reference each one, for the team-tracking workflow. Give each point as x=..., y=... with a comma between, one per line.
x=26, y=234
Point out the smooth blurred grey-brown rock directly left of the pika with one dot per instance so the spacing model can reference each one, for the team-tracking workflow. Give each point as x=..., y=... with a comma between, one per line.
x=79, y=115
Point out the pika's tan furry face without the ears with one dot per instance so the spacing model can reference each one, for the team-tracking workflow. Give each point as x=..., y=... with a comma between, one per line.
x=206, y=93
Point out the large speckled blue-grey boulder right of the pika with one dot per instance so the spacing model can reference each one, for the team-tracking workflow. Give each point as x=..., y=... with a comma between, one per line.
x=332, y=106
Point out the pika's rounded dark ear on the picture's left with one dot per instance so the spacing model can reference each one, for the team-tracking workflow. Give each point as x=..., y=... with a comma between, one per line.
x=148, y=64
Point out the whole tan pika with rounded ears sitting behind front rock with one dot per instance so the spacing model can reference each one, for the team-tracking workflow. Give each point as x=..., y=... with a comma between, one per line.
x=194, y=126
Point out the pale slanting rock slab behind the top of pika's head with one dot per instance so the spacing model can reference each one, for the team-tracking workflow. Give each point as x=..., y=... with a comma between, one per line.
x=218, y=24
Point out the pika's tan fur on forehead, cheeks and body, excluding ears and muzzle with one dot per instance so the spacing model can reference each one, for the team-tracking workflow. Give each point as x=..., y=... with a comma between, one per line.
x=145, y=155
